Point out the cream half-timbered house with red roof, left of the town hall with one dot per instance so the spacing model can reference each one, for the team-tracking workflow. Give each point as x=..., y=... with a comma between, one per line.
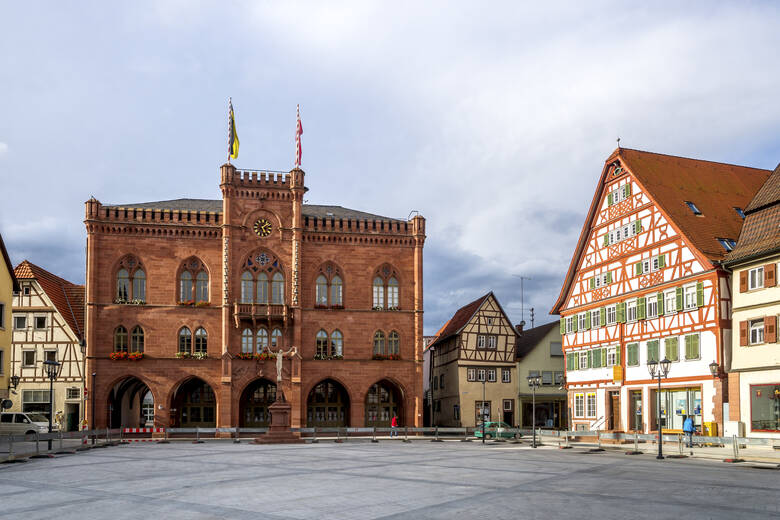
x=48, y=315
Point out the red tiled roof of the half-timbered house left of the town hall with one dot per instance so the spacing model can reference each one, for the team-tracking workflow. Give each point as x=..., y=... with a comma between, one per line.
x=67, y=297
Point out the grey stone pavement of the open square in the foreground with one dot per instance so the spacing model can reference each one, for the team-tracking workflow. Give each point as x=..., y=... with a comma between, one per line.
x=387, y=480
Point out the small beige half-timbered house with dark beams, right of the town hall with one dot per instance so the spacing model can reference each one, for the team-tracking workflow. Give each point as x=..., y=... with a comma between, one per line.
x=473, y=368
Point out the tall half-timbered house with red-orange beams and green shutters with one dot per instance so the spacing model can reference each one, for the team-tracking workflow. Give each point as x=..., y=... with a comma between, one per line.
x=645, y=283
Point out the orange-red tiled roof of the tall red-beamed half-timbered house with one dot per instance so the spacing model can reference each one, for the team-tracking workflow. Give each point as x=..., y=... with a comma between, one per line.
x=715, y=188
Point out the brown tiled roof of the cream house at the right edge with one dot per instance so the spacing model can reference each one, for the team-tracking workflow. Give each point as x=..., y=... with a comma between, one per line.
x=761, y=233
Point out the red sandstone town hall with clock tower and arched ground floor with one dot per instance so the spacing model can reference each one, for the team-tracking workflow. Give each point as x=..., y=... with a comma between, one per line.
x=186, y=299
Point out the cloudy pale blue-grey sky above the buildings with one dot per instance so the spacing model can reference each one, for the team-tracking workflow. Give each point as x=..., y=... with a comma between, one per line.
x=491, y=120
